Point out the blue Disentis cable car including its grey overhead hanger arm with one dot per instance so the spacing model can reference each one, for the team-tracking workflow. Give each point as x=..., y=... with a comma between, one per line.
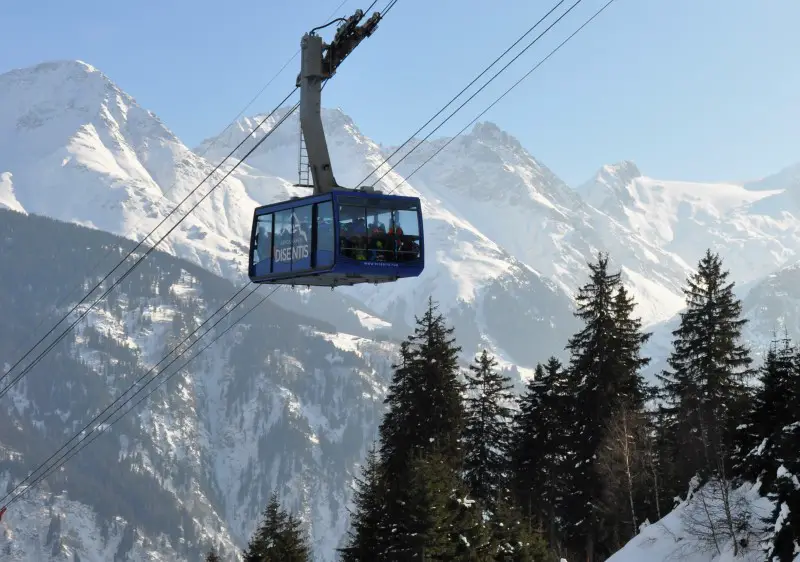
x=336, y=236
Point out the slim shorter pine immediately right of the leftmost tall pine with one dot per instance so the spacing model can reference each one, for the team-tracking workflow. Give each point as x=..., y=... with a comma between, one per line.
x=486, y=430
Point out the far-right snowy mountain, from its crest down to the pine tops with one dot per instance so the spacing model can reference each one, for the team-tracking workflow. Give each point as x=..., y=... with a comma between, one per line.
x=755, y=227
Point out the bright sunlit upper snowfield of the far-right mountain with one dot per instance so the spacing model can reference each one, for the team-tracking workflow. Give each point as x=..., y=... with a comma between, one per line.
x=755, y=230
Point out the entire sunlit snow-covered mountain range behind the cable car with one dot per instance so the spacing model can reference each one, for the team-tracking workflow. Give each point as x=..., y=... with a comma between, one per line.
x=495, y=216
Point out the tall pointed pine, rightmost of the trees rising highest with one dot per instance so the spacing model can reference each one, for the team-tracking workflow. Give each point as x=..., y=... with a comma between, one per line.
x=705, y=391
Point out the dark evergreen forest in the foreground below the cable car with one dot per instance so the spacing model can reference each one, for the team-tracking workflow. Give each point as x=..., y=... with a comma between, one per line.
x=589, y=454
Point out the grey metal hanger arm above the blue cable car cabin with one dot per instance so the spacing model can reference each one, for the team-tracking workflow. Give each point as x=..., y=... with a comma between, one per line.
x=318, y=63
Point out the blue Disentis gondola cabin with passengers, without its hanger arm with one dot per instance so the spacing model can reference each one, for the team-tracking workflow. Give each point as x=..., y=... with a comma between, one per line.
x=337, y=239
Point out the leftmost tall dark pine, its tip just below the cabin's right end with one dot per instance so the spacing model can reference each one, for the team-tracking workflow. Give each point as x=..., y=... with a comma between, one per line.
x=420, y=451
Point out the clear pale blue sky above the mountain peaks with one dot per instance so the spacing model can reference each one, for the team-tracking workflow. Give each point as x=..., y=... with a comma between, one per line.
x=688, y=89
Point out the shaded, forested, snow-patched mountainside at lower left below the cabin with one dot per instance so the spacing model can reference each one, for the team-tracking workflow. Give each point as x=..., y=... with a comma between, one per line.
x=282, y=402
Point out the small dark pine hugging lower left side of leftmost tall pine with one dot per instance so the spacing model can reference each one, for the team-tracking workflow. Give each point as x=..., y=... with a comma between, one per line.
x=368, y=525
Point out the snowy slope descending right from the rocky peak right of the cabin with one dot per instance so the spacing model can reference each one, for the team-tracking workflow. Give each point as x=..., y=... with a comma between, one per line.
x=489, y=178
